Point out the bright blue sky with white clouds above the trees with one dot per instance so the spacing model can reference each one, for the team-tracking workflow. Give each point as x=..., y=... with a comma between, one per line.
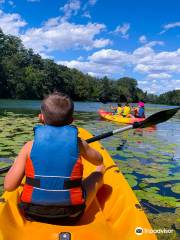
x=139, y=39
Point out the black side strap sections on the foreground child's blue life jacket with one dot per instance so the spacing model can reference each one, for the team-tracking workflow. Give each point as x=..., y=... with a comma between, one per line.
x=68, y=184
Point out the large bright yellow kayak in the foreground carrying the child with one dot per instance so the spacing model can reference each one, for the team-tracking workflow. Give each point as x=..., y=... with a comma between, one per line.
x=115, y=213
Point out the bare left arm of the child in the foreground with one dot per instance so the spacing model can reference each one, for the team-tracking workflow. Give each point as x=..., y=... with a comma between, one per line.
x=16, y=173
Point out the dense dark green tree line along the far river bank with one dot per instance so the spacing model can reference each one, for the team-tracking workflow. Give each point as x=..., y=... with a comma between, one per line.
x=26, y=75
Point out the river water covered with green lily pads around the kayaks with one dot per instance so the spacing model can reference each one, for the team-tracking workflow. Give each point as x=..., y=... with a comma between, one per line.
x=148, y=158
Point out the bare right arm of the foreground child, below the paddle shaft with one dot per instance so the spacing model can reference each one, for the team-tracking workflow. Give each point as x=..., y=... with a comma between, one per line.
x=89, y=153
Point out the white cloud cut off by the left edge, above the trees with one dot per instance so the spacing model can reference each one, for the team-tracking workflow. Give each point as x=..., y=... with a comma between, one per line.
x=11, y=23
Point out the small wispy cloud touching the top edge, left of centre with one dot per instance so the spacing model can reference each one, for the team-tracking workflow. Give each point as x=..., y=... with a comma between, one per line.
x=71, y=8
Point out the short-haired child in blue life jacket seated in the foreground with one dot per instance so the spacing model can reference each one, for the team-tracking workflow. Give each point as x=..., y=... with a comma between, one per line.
x=52, y=164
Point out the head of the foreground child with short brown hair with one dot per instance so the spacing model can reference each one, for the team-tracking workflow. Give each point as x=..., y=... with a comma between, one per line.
x=57, y=109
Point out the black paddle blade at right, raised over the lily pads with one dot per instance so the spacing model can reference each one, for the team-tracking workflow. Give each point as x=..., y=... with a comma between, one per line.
x=156, y=118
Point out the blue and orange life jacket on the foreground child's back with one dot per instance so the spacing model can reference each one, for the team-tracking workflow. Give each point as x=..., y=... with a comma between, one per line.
x=54, y=170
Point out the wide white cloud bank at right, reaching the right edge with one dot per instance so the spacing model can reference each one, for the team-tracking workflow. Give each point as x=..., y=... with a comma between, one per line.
x=143, y=60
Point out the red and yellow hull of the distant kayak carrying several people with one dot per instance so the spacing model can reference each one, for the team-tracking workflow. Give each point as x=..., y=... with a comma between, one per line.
x=115, y=118
